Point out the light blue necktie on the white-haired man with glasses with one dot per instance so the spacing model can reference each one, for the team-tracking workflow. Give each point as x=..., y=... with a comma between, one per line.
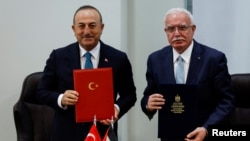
x=180, y=71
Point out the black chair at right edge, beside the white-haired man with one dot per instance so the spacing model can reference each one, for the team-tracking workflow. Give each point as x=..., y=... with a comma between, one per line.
x=241, y=90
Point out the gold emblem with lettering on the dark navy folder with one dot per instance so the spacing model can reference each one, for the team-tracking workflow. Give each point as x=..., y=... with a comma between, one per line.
x=177, y=106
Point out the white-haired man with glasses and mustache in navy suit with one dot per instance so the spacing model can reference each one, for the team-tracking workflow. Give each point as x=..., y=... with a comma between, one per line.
x=204, y=67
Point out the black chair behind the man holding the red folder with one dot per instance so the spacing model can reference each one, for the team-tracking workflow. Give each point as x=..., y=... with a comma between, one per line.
x=32, y=120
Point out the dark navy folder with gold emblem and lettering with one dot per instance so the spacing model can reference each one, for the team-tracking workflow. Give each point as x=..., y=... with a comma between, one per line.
x=179, y=115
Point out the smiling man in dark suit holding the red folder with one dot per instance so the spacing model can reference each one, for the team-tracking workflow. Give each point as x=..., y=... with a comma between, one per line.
x=56, y=87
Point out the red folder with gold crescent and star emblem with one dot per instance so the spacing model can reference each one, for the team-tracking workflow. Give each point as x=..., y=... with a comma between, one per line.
x=96, y=97
